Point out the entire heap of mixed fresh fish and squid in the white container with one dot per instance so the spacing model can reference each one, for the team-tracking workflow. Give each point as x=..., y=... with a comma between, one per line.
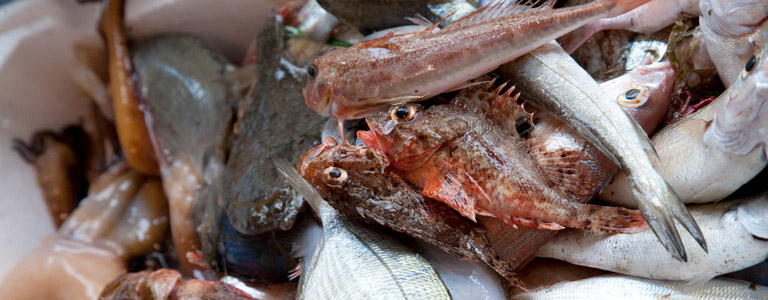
x=449, y=154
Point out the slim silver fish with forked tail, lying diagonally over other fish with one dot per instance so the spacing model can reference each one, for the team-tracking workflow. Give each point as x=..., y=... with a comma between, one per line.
x=554, y=81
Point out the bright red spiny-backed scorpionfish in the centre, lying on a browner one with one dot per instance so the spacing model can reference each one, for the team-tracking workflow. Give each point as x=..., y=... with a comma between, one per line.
x=457, y=156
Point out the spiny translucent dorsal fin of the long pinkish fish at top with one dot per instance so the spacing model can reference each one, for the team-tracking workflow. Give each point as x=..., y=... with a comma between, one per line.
x=500, y=8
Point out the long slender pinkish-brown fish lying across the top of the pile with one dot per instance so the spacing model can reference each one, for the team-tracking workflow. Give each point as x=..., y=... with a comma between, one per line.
x=355, y=82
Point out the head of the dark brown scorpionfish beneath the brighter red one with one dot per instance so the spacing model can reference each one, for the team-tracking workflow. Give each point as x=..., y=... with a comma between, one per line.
x=341, y=172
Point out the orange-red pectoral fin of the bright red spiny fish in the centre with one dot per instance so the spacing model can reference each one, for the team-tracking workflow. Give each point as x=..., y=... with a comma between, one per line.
x=454, y=187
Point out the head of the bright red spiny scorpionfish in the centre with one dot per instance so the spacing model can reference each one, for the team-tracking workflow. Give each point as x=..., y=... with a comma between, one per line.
x=409, y=134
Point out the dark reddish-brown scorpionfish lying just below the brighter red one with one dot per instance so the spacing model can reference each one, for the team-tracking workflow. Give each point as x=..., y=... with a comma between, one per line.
x=372, y=193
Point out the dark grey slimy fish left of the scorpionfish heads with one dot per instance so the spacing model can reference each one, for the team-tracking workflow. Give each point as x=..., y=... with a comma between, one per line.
x=256, y=198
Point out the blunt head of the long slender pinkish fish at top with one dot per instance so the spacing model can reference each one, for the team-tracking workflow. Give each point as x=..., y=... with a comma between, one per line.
x=319, y=92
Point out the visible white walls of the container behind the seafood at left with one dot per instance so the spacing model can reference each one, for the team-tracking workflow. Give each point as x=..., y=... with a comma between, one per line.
x=37, y=90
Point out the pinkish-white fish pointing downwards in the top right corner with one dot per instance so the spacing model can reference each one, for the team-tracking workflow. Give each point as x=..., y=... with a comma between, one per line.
x=732, y=31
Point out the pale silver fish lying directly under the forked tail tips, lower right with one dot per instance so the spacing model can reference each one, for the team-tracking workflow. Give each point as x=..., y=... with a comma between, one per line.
x=736, y=233
